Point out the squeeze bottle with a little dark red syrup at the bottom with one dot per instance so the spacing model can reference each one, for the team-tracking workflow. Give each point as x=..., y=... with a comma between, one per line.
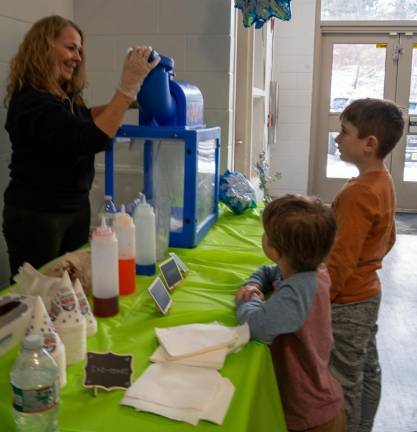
x=104, y=271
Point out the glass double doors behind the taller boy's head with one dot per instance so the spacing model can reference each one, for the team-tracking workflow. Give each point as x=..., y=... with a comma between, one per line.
x=358, y=66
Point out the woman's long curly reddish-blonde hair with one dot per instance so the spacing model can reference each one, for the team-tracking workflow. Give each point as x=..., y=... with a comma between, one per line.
x=34, y=64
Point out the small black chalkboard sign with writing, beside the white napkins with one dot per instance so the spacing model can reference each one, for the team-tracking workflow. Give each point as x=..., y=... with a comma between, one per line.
x=108, y=370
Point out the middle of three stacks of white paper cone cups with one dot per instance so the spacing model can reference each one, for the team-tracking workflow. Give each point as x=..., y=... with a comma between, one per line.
x=68, y=320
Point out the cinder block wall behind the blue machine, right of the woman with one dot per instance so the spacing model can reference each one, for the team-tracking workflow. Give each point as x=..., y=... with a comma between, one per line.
x=199, y=35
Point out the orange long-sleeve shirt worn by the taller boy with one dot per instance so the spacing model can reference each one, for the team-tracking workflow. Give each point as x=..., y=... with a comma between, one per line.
x=364, y=210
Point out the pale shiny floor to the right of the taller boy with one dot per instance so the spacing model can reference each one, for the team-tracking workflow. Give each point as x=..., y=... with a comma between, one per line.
x=397, y=340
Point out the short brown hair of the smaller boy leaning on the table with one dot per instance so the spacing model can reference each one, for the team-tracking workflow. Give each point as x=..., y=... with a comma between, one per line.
x=301, y=228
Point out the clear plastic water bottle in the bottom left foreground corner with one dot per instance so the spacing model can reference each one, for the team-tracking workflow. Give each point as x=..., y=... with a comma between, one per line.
x=35, y=383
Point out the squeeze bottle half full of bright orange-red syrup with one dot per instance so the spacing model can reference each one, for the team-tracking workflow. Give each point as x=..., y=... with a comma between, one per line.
x=125, y=232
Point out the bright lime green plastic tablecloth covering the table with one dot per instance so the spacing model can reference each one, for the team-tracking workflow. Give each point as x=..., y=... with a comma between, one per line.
x=228, y=254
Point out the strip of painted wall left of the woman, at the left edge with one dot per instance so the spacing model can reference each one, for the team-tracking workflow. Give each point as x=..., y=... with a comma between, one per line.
x=16, y=17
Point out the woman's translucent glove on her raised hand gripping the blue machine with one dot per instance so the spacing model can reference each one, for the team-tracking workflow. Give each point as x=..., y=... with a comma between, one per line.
x=135, y=69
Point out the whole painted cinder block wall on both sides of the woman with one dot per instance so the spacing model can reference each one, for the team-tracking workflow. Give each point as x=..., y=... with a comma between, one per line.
x=197, y=34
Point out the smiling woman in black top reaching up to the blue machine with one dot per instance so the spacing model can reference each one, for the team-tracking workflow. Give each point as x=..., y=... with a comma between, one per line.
x=54, y=139
